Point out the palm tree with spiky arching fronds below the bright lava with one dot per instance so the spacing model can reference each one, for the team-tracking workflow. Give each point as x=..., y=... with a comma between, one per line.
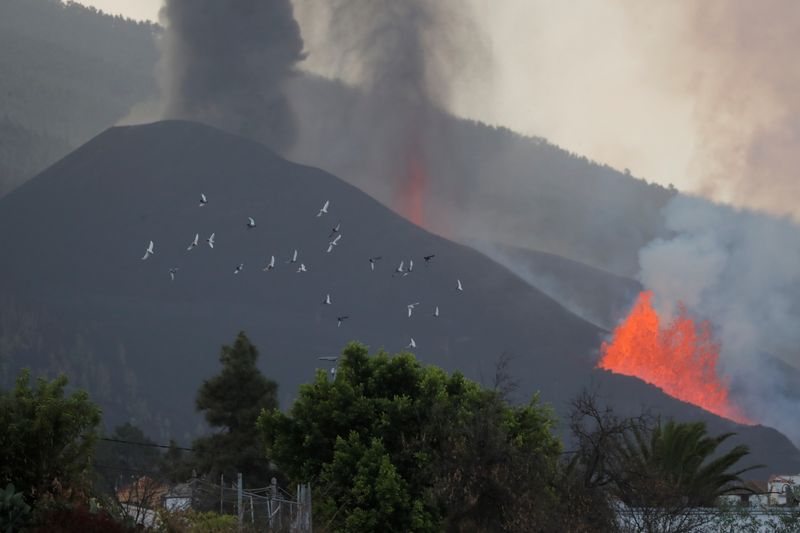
x=678, y=461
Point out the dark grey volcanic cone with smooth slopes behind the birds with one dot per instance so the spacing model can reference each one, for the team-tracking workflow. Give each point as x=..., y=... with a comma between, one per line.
x=77, y=298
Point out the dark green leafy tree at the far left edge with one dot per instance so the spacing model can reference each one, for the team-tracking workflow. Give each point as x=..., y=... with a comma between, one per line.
x=47, y=438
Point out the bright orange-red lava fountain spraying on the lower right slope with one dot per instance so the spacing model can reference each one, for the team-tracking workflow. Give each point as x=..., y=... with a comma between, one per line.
x=679, y=358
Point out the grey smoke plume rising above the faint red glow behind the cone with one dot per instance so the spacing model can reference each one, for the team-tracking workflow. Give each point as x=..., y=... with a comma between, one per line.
x=401, y=58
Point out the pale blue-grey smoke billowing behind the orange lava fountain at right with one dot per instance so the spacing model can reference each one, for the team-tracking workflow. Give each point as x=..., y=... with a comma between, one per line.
x=741, y=270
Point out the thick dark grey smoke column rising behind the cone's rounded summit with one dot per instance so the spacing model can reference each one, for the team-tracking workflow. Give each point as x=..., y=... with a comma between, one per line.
x=225, y=63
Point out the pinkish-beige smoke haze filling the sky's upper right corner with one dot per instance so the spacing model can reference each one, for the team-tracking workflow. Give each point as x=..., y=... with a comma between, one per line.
x=735, y=62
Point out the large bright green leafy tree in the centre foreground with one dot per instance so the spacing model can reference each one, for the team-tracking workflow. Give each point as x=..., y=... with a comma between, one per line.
x=410, y=448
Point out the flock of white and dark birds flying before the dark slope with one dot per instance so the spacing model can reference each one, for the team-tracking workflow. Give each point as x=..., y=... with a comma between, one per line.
x=335, y=237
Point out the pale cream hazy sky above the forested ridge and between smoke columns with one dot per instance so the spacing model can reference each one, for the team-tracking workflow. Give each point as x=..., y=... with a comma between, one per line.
x=699, y=94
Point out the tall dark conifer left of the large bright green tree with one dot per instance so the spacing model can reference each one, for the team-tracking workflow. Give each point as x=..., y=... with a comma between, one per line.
x=232, y=401
